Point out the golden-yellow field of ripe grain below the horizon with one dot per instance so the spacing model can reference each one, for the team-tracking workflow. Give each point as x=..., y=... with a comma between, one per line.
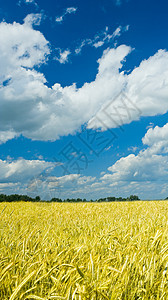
x=84, y=250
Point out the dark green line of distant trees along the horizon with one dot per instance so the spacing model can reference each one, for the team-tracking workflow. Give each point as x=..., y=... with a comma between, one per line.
x=16, y=198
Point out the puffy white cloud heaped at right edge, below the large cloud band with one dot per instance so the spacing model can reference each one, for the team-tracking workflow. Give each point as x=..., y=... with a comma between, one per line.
x=149, y=164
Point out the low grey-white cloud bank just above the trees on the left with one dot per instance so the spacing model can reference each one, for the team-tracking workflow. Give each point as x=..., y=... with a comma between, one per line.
x=33, y=177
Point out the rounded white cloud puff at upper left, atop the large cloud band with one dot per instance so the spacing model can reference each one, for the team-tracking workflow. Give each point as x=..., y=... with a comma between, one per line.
x=21, y=47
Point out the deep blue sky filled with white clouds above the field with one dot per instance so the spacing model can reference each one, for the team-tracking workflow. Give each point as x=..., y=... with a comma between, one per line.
x=84, y=98
